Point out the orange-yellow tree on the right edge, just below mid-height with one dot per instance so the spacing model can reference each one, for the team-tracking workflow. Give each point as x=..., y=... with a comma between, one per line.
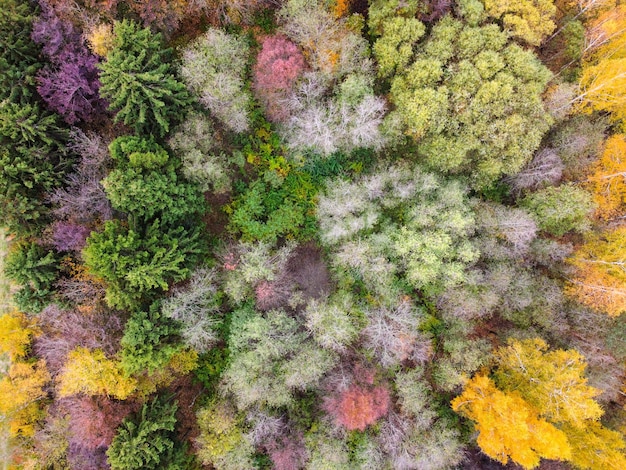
x=599, y=279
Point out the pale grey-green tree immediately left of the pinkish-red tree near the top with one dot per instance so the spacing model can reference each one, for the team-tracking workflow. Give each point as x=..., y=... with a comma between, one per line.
x=213, y=68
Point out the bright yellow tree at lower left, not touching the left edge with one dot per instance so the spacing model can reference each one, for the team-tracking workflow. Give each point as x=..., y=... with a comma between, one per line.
x=92, y=373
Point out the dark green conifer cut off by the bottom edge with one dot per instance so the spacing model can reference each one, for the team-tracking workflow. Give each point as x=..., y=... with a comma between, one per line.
x=147, y=440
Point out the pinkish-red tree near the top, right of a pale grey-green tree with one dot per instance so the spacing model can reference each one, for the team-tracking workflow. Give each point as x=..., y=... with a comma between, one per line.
x=278, y=66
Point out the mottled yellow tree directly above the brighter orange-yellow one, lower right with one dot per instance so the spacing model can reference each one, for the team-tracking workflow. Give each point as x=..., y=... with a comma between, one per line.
x=551, y=381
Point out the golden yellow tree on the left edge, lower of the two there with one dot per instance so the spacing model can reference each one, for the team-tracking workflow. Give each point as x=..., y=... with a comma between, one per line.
x=21, y=389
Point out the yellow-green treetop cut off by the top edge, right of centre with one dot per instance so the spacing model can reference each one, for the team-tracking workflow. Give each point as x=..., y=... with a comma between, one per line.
x=529, y=20
